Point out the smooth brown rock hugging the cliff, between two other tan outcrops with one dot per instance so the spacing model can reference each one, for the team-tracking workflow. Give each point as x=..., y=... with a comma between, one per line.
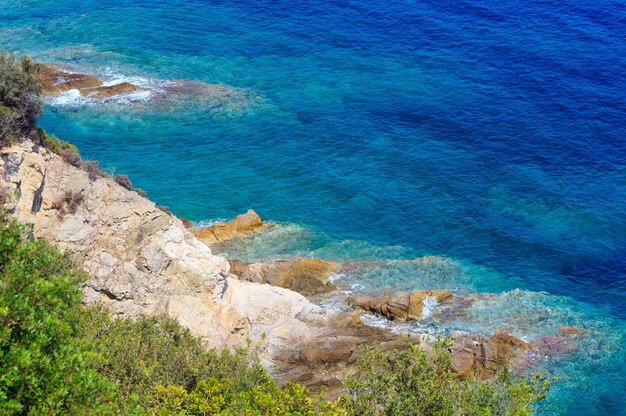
x=303, y=275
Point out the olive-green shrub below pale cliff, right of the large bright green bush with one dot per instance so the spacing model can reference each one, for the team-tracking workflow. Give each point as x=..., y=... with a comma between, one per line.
x=152, y=351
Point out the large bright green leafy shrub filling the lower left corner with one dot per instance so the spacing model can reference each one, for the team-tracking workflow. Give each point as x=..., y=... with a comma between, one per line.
x=44, y=367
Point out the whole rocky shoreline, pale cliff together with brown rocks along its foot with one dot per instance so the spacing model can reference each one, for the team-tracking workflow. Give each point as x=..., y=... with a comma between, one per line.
x=141, y=260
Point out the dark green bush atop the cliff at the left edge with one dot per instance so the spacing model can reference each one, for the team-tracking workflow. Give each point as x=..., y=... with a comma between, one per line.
x=20, y=104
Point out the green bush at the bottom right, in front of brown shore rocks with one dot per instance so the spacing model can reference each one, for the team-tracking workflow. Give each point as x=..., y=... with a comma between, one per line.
x=413, y=382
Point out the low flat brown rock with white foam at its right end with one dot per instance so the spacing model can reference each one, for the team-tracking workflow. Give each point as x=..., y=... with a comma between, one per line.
x=401, y=306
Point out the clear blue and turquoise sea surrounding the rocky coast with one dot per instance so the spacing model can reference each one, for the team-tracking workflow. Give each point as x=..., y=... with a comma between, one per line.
x=488, y=133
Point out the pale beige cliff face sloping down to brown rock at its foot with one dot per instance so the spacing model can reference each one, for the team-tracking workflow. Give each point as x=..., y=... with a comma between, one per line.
x=141, y=260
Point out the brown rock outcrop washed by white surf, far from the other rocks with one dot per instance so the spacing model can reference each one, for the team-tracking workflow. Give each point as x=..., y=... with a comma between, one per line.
x=55, y=81
